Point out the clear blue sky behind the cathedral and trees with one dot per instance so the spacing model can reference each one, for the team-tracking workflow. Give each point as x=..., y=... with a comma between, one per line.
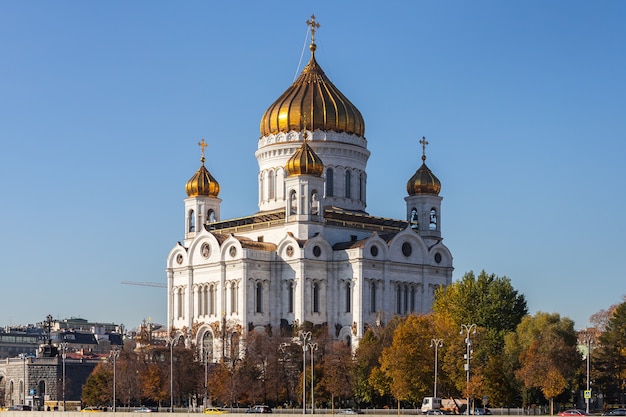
x=102, y=105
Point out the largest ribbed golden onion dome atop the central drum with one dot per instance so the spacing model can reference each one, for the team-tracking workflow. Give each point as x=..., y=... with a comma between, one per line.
x=312, y=100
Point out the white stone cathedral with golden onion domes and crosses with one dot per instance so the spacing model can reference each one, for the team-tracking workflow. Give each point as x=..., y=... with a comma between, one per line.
x=311, y=253
